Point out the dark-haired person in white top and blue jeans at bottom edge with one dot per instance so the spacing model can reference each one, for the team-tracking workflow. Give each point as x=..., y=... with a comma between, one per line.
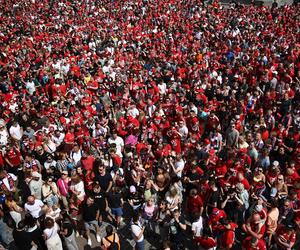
x=137, y=229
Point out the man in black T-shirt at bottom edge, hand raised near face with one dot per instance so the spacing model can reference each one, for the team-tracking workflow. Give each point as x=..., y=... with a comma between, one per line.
x=177, y=227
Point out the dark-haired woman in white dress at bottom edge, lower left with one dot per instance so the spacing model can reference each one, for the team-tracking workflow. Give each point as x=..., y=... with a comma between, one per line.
x=51, y=236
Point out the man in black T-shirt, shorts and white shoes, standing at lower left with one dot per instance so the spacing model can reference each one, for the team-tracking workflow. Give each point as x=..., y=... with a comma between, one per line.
x=90, y=216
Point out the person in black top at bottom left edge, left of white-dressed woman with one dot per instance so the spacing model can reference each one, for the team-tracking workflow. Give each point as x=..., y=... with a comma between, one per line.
x=21, y=237
